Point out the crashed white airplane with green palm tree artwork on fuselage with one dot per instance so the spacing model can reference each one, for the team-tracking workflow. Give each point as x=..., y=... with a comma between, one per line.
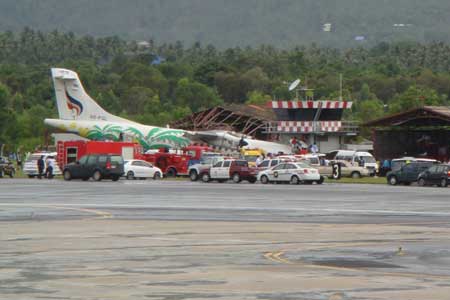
x=81, y=115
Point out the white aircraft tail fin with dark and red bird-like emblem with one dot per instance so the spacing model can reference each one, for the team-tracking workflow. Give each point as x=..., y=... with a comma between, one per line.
x=72, y=100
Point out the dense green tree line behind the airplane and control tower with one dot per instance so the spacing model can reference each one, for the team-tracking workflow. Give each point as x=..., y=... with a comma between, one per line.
x=157, y=83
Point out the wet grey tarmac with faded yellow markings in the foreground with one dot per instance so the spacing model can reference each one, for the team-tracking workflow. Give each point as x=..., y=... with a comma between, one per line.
x=182, y=240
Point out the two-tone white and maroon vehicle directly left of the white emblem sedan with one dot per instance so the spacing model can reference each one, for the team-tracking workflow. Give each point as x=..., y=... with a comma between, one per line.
x=237, y=170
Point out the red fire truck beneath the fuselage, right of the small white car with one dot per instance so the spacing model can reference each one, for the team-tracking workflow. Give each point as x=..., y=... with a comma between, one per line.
x=176, y=164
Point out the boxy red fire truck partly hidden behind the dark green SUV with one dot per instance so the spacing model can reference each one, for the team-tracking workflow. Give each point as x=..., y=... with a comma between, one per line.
x=71, y=151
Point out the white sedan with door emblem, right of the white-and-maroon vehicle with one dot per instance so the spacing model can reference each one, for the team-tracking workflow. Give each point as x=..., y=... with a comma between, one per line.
x=293, y=172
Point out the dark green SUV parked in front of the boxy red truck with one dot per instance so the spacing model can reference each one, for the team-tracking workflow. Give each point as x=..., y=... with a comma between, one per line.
x=97, y=166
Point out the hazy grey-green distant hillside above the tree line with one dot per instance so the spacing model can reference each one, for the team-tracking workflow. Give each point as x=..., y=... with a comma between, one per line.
x=224, y=24
